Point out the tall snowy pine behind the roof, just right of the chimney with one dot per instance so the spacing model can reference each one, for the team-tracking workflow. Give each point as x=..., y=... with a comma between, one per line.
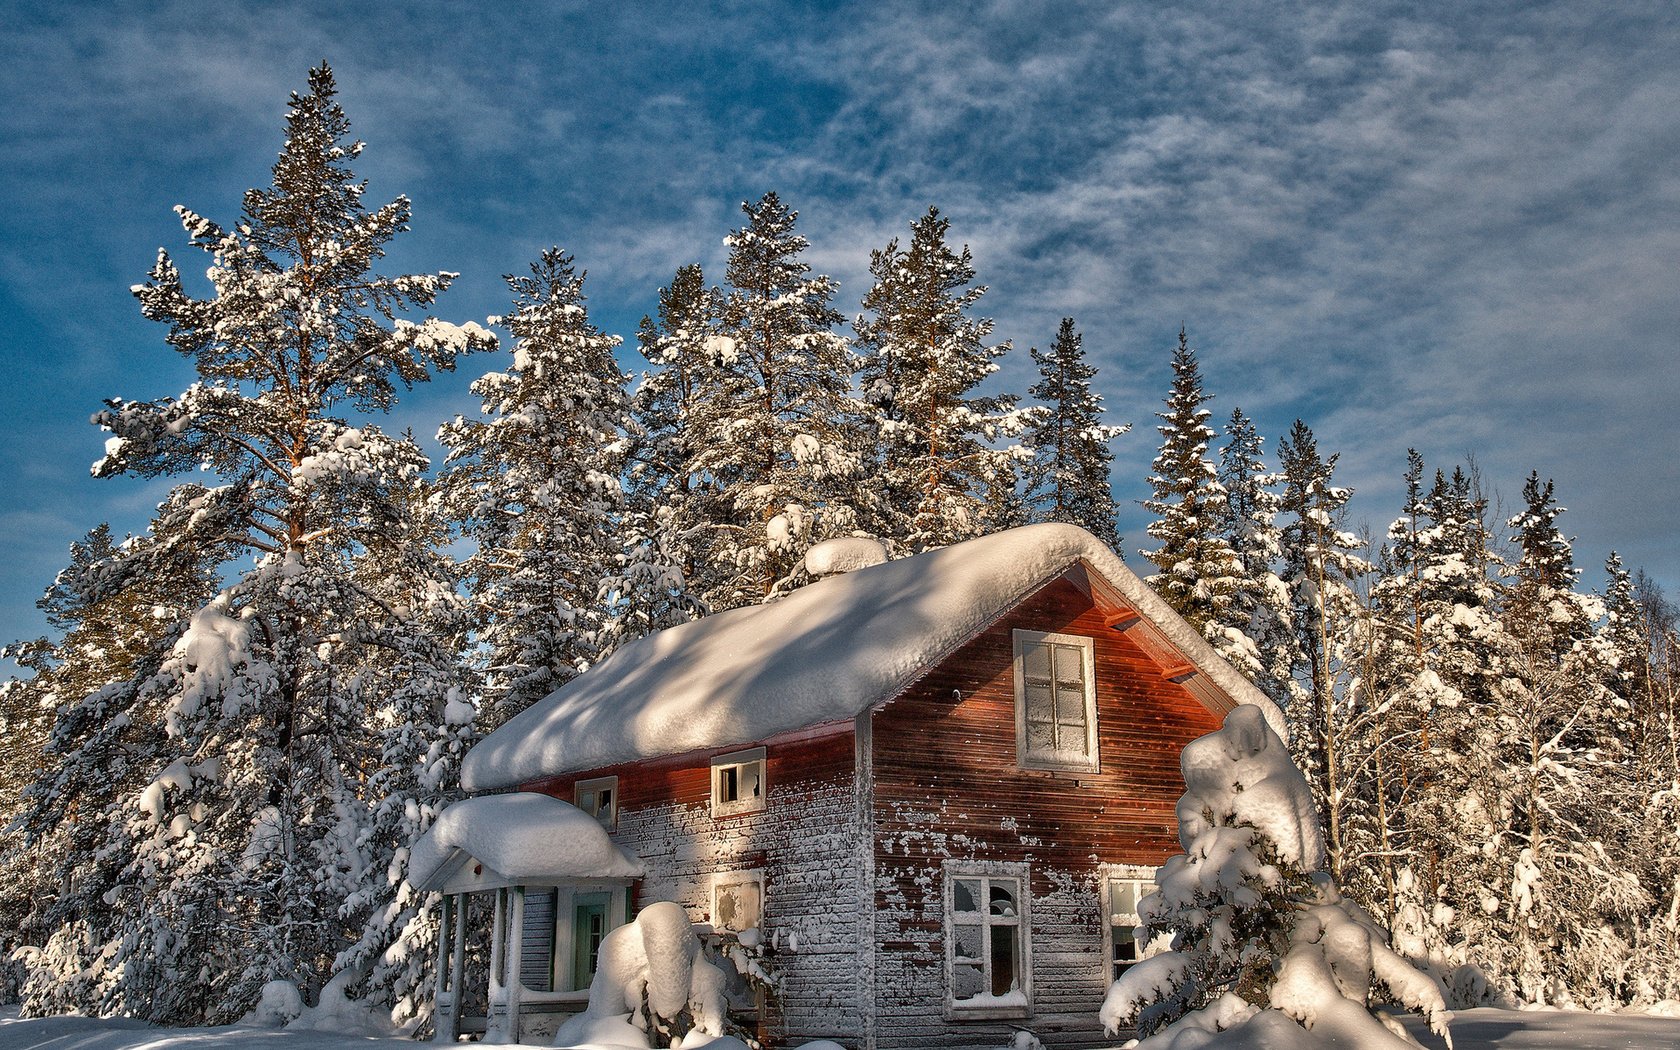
x=923, y=360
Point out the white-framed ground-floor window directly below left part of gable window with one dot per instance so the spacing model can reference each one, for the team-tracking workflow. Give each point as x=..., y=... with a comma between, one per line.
x=987, y=932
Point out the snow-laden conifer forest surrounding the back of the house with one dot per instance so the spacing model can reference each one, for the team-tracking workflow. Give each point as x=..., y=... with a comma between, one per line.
x=216, y=765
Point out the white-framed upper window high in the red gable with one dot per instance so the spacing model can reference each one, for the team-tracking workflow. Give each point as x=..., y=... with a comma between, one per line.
x=1056, y=701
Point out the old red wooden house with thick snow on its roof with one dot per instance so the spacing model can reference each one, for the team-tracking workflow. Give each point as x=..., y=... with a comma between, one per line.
x=937, y=785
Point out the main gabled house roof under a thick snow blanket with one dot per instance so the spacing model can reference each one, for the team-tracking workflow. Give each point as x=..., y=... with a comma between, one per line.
x=826, y=654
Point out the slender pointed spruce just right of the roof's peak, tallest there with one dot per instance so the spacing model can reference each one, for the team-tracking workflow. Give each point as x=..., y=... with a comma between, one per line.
x=1199, y=574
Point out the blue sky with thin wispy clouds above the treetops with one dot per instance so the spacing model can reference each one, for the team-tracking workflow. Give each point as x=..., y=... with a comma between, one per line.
x=1449, y=228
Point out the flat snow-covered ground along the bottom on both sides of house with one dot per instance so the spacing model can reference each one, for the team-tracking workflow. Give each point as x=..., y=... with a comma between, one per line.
x=1473, y=1031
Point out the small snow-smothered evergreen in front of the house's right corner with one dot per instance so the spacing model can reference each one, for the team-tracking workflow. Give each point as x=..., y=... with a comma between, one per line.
x=1256, y=921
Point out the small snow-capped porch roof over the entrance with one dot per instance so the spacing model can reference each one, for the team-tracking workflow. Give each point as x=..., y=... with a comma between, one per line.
x=522, y=839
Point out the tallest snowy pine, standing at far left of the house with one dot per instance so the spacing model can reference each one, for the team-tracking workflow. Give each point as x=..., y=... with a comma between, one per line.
x=253, y=822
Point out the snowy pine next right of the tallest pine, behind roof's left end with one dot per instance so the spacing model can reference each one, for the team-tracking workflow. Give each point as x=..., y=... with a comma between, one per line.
x=537, y=488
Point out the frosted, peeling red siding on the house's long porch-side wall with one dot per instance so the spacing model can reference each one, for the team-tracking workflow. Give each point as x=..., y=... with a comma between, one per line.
x=806, y=841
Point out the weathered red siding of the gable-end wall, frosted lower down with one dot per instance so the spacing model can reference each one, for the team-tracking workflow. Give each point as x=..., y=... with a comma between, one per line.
x=947, y=785
